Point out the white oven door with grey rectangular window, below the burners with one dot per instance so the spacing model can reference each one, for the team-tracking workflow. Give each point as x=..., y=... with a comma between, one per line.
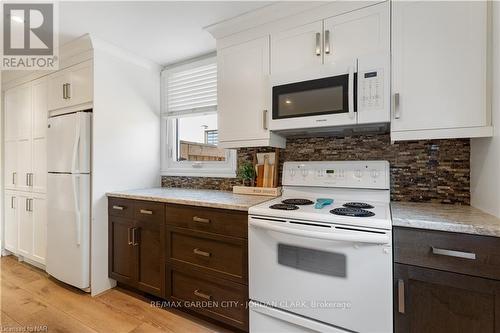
x=333, y=274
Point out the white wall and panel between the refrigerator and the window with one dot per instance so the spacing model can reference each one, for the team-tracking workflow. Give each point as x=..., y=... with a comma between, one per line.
x=126, y=140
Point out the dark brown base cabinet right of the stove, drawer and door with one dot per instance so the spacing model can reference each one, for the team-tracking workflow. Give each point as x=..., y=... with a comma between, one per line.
x=446, y=282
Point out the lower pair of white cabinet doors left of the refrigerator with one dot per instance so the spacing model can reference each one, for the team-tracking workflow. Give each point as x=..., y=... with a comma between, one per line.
x=26, y=225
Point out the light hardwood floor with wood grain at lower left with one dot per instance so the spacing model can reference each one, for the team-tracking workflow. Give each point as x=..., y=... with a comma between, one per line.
x=29, y=298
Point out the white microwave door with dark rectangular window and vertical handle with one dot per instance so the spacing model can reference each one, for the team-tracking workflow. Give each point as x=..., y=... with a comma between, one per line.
x=326, y=101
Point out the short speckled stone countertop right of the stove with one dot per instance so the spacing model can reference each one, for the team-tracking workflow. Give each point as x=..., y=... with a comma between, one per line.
x=442, y=217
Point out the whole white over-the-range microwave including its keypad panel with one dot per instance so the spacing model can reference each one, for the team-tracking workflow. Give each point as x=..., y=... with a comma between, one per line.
x=347, y=93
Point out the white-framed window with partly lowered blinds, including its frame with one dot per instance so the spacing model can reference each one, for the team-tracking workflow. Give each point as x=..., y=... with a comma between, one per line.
x=189, y=122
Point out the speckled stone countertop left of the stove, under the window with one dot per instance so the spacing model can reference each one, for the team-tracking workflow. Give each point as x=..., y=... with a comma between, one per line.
x=194, y=197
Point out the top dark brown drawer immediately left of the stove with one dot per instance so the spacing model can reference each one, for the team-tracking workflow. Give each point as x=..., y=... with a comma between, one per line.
x=217, y=221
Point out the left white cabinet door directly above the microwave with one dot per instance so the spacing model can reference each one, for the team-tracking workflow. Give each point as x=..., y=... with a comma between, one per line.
x=297, y=49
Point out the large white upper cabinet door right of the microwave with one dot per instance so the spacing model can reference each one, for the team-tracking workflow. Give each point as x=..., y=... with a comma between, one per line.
x=439, y=64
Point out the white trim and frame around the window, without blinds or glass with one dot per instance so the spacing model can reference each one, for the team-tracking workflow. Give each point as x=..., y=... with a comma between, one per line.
x=170, y=167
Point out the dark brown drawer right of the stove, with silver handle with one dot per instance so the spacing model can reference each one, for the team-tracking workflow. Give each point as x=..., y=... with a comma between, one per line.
x=454, y=252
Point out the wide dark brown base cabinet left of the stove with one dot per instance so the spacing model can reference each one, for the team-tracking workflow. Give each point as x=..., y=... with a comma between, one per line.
x=192, y=255
